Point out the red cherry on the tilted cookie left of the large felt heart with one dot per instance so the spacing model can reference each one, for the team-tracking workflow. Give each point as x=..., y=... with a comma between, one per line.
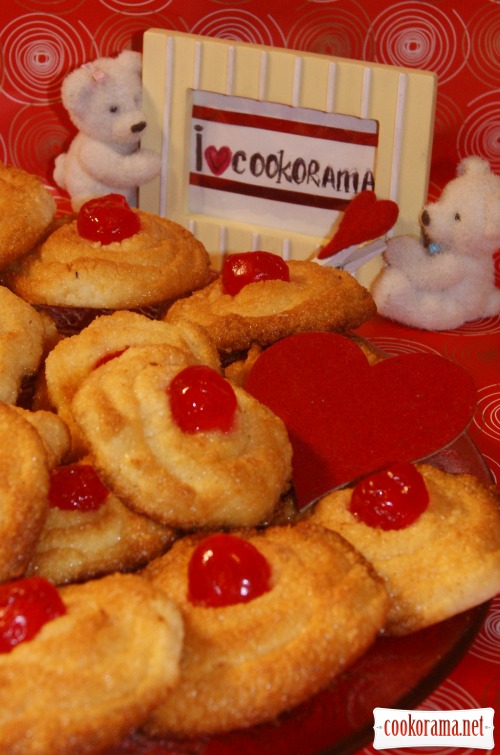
x=201, y=400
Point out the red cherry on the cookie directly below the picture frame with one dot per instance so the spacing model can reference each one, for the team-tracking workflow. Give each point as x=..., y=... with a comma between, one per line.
x=239, y=270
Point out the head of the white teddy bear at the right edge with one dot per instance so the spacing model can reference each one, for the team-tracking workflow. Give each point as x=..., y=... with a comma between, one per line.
x=466, y=217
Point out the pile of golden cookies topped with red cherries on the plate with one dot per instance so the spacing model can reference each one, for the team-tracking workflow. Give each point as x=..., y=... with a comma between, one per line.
x=151, y=495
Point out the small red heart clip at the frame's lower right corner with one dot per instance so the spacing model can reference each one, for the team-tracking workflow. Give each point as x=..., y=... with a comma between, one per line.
x=366, y=218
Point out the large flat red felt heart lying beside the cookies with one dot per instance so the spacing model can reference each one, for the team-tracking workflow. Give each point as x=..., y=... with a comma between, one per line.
x=346, y=418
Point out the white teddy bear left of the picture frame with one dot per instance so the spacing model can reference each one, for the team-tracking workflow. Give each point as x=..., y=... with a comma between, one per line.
x=104, y=100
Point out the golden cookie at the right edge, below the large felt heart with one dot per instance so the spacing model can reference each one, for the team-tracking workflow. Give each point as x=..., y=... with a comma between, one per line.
x=445, y=562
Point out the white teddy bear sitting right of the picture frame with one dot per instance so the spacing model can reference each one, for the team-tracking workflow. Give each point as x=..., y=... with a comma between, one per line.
x=448, y=279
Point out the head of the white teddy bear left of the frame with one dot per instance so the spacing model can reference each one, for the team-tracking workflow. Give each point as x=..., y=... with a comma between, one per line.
x=104, y=99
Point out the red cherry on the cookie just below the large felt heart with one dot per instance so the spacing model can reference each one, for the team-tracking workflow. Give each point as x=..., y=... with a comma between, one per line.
x=390, y=499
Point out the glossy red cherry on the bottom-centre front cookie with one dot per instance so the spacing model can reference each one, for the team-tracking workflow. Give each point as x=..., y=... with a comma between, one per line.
x=225, y=569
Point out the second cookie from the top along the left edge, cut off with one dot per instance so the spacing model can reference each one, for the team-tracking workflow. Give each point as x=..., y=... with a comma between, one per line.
x=25, y=336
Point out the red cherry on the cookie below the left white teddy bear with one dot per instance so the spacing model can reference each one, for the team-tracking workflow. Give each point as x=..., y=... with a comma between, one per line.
x=107, y=219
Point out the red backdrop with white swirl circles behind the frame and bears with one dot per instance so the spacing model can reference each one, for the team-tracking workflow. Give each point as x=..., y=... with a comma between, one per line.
x=42, y=40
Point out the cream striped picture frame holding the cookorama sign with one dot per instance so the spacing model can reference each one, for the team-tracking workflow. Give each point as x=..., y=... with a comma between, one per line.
x=263, y=148
